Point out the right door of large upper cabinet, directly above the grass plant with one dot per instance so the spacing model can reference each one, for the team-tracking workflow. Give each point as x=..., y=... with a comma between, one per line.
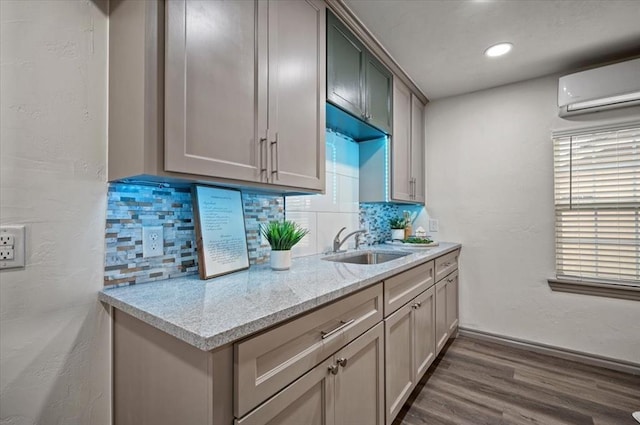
x=296, y=95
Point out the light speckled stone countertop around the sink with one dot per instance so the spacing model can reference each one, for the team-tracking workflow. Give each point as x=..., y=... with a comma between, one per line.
x=211, y=313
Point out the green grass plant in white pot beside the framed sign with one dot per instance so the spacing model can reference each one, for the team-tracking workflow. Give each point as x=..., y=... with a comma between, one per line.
x=282, y=236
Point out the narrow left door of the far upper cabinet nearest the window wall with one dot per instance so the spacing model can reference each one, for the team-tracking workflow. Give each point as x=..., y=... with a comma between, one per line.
x=401, y=143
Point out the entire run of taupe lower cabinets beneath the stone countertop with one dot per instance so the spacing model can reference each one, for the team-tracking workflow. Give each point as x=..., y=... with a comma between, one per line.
x=343, y=363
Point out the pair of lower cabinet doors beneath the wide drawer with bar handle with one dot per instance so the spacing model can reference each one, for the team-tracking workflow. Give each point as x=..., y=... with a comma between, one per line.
x=347, y=388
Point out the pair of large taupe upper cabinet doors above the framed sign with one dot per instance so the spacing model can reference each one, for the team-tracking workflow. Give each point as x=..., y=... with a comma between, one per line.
x=244, y=85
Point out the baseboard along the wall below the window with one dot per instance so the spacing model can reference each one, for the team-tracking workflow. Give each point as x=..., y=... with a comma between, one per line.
x=563, y=353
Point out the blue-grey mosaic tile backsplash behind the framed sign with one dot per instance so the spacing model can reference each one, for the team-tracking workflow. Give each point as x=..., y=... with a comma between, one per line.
x=130, y=207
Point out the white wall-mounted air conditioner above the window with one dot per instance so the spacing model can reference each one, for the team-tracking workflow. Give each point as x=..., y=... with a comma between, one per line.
x=598, y=89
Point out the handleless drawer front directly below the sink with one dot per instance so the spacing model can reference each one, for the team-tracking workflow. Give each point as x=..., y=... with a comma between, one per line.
x=401, y=288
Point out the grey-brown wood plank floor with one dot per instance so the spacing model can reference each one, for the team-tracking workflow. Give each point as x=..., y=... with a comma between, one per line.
x=477, y=382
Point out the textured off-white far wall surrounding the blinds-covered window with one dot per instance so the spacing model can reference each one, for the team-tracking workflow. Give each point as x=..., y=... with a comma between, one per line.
x=490, y=183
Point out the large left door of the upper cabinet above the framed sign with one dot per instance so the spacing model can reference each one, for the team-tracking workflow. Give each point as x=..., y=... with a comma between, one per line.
x=211, y=90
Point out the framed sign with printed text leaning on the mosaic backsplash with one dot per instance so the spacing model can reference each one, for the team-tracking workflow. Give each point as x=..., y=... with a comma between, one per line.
x=221, y=236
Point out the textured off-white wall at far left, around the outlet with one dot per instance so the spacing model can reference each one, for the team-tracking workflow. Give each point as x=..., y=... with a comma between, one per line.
x=54, y=335
